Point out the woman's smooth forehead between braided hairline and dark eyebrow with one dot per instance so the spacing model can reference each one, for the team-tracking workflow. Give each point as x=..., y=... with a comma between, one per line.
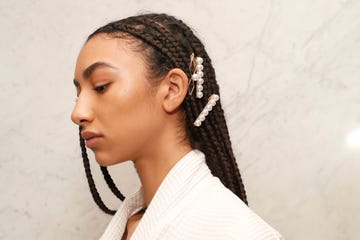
x=103, y=48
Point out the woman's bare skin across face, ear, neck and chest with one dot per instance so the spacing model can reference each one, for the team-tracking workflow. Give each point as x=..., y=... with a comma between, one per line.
x=130, y=119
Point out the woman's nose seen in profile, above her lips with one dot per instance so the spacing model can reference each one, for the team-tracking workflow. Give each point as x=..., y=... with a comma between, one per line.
x=82, y=112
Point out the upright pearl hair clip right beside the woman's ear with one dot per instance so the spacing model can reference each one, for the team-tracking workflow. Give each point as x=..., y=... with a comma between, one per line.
x=196, y=63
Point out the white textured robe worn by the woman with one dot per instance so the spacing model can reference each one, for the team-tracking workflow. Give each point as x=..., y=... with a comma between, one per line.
x=190, y=204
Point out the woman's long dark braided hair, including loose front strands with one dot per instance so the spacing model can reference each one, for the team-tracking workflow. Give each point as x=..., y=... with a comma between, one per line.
x=166, y=43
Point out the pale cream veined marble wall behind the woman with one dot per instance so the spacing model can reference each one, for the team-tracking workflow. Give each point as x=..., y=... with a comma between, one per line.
x=289, y=72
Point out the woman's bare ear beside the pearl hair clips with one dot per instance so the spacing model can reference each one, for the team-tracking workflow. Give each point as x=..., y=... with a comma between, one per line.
x=173, y=89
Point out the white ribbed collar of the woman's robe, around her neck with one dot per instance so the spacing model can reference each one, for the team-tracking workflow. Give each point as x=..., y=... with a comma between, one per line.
x=182, y=177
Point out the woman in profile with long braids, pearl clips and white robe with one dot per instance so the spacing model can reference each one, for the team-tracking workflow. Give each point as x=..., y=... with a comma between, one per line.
x=147, y=93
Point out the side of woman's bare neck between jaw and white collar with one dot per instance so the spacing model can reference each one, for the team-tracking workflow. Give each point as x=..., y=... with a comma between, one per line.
x=153, y=168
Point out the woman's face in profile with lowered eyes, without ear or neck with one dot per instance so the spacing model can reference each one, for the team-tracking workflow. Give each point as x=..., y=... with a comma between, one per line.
x=118, y=114
